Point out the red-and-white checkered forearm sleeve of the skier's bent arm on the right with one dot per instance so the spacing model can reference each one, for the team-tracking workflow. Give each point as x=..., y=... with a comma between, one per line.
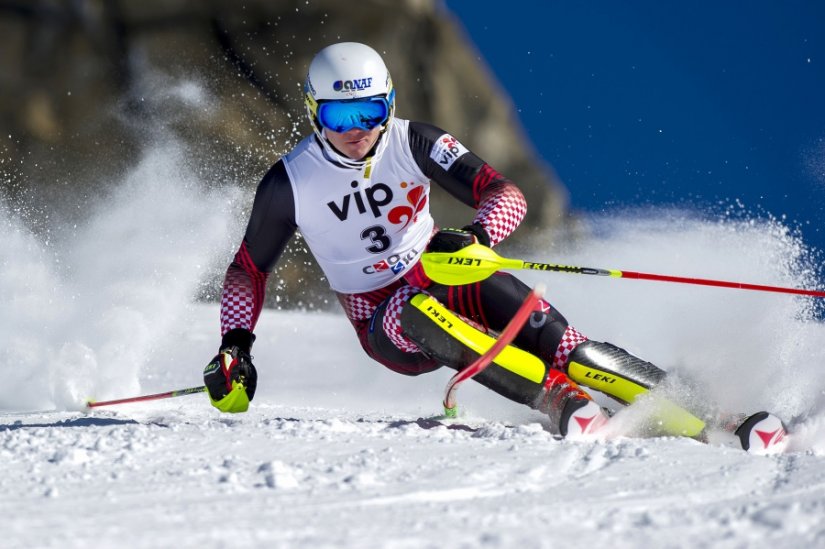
x=501, y=205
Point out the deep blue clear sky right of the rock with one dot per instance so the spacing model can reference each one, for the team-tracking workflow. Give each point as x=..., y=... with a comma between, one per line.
x=643, y=102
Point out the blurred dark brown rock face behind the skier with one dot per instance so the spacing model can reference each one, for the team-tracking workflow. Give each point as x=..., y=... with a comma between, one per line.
x=85, y=85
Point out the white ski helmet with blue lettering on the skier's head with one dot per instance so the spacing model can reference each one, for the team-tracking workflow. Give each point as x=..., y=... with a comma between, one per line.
x=345, y=72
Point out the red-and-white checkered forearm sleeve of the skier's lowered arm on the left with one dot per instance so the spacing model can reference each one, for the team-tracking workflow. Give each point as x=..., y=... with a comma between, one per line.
x=244, y=288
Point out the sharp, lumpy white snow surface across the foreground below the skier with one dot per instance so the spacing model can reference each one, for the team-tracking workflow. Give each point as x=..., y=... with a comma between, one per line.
x=285, y=476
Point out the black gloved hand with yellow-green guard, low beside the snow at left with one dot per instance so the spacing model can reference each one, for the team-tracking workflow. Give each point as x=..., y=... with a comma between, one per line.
x=231, y=377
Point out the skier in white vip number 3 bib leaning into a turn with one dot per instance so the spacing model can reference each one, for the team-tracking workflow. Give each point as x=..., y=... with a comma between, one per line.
x=358, y=190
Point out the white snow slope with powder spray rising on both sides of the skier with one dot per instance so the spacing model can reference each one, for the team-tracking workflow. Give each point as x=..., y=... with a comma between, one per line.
x=339, y=452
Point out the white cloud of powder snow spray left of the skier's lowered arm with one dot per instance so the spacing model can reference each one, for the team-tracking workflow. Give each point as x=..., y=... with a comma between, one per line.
x=86, y=304
